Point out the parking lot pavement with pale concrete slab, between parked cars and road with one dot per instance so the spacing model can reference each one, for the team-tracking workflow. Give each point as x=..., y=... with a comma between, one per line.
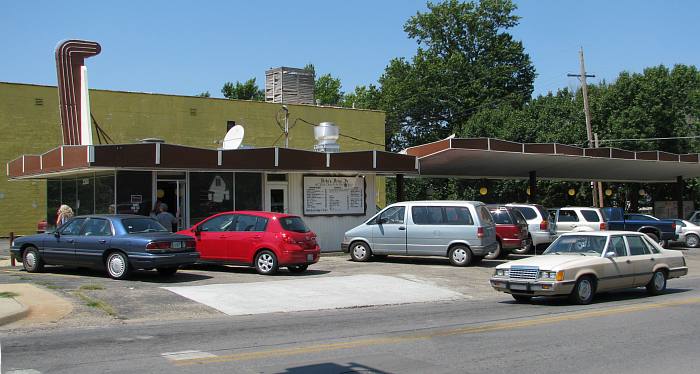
x=98, y=300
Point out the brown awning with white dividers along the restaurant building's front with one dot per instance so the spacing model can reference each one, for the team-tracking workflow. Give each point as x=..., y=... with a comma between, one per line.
x=156, y=156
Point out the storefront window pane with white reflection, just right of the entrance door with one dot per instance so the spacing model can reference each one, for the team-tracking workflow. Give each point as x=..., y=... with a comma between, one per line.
x=210, y=193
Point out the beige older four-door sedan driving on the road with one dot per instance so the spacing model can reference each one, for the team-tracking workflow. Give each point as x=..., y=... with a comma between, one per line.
x=583, y=263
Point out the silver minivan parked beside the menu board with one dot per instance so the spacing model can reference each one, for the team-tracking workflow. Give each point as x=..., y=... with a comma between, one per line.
x=462, y=231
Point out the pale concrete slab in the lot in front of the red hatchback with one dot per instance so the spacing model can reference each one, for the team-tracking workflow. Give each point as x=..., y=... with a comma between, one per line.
x=313, y=294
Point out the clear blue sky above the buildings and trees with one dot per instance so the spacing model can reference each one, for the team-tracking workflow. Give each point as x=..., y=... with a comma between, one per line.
x=184, y=48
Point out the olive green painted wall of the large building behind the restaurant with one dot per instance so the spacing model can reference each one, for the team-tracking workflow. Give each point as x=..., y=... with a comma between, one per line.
x=126, y=117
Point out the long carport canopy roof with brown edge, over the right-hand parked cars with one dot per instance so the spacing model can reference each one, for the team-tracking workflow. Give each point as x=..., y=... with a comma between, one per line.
x=488, y=158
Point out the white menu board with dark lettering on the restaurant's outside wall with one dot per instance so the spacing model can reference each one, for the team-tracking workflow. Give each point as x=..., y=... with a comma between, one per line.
x=334, y=195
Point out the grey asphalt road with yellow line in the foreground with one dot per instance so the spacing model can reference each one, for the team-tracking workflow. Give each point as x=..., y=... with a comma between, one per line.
x=623, y=332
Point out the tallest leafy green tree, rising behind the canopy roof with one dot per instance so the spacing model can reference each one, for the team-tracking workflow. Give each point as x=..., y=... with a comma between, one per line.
x=466, y=60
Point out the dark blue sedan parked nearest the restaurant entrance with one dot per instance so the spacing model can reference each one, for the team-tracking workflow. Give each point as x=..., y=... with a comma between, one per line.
x=117, y=243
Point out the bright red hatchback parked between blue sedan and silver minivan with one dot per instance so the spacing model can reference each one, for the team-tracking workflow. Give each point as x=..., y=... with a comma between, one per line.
x=265, y=240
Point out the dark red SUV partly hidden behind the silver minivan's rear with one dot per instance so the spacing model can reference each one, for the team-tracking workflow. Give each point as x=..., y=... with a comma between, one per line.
x=511, y=230
